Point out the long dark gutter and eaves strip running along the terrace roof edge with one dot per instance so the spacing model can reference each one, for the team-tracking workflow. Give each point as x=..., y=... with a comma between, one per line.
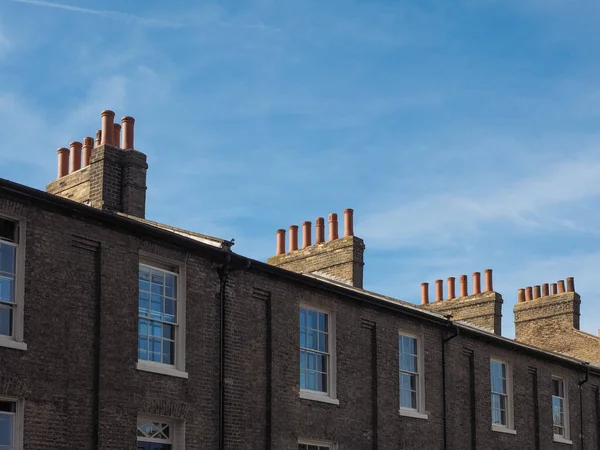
x=221, y=254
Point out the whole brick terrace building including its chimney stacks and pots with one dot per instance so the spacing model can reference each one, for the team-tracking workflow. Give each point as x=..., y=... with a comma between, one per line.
x=117, y=332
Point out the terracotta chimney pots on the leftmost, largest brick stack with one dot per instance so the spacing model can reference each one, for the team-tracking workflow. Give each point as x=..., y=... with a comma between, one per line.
x=79, y=155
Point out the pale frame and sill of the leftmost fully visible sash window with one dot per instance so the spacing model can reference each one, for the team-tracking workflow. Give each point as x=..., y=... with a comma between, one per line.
x=177, y=369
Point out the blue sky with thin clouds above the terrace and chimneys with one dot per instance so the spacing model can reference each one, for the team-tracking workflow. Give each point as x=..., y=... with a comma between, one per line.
x=464, y=134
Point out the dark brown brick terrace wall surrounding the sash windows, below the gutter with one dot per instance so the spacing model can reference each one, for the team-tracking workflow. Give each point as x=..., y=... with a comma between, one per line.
x=81, y=388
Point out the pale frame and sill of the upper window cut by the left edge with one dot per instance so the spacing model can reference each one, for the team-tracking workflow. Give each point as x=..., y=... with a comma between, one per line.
x=16, y=340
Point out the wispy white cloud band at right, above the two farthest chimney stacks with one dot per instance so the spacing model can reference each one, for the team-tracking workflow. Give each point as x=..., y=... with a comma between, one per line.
x=540, y=202
